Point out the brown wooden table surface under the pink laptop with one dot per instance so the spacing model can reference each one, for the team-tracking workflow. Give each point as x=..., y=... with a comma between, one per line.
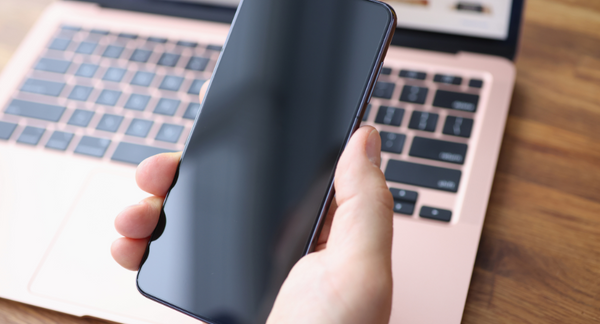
x=539, y=256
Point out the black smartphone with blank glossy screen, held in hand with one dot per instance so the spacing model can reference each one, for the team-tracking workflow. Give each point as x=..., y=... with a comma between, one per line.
x=256, y=176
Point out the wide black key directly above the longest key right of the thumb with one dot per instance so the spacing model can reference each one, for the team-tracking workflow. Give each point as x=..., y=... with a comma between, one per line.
x=438, y=150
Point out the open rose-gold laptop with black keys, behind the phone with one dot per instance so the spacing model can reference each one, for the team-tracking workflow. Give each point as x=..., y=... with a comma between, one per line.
x=99, y=85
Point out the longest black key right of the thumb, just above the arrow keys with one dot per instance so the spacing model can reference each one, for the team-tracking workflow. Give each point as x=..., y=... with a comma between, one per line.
x=423, y=175
